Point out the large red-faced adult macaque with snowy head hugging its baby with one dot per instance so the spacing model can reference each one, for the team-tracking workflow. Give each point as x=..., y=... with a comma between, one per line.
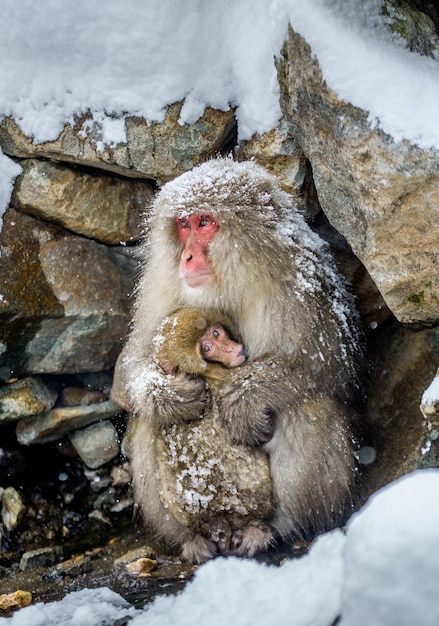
x=225, y=237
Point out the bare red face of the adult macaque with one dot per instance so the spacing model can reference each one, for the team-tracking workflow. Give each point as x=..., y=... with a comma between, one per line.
x=196, y=232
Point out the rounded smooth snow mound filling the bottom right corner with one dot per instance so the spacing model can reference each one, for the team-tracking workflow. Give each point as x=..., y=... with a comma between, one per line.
x=391, y=559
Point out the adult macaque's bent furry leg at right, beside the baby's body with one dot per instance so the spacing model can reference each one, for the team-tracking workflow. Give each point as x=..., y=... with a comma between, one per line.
x=313, y=467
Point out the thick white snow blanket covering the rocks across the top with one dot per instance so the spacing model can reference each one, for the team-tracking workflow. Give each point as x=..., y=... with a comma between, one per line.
x=59, y=60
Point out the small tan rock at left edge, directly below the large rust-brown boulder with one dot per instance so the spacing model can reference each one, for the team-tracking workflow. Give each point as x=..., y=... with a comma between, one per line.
x=21, y=398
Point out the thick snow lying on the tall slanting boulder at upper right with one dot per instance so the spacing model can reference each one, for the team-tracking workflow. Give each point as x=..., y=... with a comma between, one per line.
x=365, y=64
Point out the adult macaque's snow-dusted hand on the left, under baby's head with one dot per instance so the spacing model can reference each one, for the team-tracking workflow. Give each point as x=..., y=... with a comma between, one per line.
x=167, y=399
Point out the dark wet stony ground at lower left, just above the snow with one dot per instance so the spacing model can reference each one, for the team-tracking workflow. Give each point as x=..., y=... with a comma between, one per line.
x=105, y=565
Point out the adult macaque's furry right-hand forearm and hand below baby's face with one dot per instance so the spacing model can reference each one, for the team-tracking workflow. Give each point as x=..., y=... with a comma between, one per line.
x=249, y=401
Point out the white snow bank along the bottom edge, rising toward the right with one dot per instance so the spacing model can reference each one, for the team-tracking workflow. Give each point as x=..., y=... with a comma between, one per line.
x=383, y=572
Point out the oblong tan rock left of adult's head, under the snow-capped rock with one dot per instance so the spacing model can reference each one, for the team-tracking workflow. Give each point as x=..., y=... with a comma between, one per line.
x=106, y=208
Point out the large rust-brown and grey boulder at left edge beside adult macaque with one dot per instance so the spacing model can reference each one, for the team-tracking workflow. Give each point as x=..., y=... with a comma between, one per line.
x=59, y=316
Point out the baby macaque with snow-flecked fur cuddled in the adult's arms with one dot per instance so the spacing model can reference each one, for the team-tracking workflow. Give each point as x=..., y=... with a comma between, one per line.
x=214, y=494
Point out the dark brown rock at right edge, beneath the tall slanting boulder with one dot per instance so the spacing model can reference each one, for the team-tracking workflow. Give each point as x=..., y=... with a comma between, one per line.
x=404, y=363
